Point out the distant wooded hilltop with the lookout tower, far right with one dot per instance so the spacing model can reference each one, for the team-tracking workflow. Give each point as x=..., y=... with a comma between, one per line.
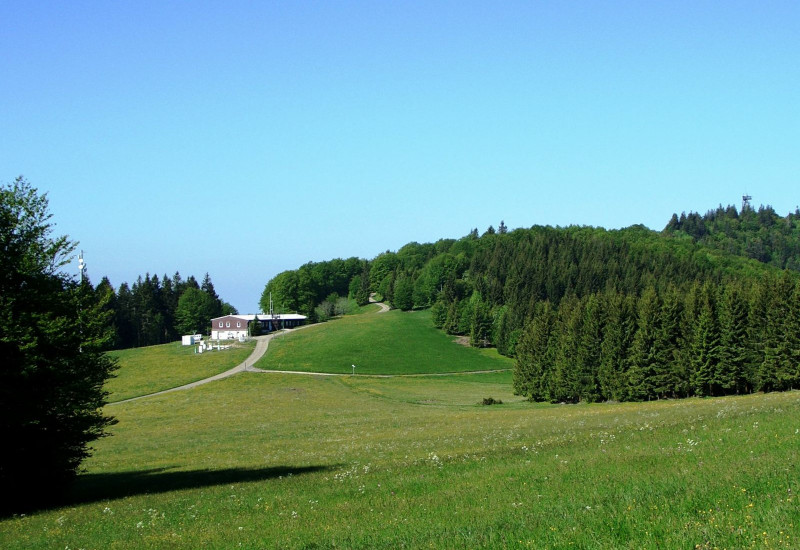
x=759, y=234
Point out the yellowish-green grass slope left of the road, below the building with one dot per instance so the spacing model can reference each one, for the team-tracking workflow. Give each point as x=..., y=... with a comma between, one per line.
x=155, y=368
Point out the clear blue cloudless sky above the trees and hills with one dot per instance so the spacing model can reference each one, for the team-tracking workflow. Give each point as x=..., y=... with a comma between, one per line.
x=246, y=138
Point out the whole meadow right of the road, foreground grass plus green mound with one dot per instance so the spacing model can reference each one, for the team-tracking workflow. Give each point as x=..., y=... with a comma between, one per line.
x=277, y=460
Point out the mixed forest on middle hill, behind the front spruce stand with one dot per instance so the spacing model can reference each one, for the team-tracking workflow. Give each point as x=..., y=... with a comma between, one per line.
x=486, y=286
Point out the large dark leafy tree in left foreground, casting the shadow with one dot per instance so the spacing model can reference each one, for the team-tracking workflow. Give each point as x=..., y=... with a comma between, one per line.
x=52, y=333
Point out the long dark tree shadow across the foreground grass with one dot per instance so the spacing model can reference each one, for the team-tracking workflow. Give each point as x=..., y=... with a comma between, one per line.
x=88, y=488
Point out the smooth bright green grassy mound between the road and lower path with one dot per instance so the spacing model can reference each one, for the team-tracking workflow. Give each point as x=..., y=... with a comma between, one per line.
x=387, y=343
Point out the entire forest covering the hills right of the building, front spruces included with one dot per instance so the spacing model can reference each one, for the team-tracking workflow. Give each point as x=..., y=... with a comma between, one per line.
x=709, y=306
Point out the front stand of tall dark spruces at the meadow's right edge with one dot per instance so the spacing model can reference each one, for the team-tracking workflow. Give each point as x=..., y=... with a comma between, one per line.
x=697, y=340
